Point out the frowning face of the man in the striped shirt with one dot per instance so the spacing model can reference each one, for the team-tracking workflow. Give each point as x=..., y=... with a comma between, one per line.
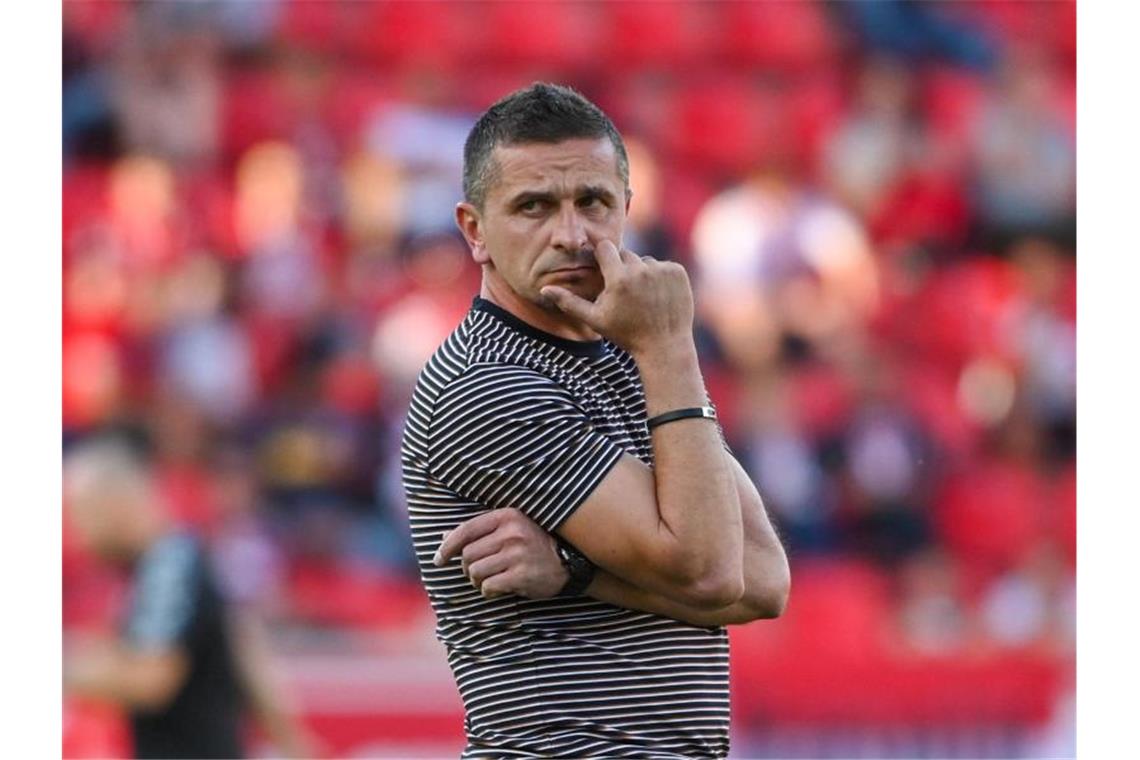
x=544, y=215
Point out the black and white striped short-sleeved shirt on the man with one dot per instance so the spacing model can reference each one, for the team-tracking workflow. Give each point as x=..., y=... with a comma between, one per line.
x=506, y=415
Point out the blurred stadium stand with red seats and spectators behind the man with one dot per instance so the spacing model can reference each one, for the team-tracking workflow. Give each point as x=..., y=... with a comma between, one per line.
x=877, y=207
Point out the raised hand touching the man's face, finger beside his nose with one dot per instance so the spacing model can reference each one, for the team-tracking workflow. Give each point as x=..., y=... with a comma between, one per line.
x=647, y=306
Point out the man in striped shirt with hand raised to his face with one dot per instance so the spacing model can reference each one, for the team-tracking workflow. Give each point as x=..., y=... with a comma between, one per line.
x=599, y=535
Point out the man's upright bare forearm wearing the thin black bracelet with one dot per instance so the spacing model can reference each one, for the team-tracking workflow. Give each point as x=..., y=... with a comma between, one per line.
x=699, y=510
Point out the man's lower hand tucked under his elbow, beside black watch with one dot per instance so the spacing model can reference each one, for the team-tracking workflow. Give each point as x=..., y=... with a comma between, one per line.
x=504, y=552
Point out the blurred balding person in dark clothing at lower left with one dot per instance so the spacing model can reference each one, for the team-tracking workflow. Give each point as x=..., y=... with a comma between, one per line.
x=185, y=667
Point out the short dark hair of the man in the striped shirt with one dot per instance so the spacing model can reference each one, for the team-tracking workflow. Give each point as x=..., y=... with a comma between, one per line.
x=540, y=113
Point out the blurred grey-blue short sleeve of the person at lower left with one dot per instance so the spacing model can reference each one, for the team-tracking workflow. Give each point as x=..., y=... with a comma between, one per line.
x=165, y=595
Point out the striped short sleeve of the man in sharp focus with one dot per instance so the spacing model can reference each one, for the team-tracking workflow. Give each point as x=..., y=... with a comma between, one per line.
x=510, y=437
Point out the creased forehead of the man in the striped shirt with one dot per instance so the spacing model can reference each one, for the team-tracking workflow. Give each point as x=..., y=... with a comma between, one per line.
x=552, y=161
